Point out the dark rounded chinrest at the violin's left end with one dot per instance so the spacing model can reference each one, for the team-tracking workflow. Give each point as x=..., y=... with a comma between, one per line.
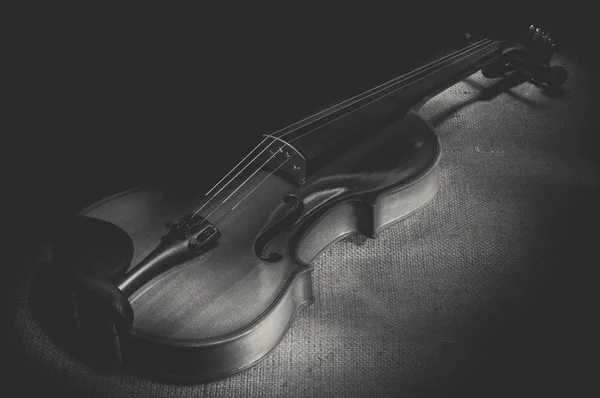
x=92, y=254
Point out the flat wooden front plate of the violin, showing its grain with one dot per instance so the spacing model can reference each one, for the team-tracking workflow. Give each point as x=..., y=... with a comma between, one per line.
x=228, y=288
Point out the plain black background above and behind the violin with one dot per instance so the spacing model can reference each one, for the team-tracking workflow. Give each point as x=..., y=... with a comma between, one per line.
x=104, y=104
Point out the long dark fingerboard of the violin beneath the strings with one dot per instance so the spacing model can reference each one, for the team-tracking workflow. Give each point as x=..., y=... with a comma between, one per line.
x=369, y=112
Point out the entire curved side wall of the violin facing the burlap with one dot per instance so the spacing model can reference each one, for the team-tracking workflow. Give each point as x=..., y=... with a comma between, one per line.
x=206, y=361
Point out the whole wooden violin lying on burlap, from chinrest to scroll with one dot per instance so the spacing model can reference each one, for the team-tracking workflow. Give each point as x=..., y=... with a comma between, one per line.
x=199, y=288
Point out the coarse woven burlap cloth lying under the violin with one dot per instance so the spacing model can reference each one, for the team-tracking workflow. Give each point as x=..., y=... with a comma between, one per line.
x=485, y=292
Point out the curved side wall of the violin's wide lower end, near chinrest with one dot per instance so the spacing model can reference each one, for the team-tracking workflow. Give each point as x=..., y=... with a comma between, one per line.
x=187, y=362
